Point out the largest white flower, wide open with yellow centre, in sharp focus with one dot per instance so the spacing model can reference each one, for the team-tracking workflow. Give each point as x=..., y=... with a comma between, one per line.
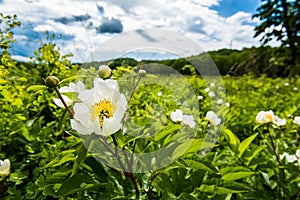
x=102, y=109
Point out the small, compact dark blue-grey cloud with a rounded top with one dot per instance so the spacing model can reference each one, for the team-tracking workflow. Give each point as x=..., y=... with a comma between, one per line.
x=110, y=26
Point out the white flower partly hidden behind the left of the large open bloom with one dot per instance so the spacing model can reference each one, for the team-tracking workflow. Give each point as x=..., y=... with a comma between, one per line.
x=72, y=88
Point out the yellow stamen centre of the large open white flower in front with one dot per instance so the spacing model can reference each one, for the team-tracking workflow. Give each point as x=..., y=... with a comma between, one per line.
x=102, y=109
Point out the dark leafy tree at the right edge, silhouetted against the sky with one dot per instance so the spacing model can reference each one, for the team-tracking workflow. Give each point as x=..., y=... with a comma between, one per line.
x=280, y=20
